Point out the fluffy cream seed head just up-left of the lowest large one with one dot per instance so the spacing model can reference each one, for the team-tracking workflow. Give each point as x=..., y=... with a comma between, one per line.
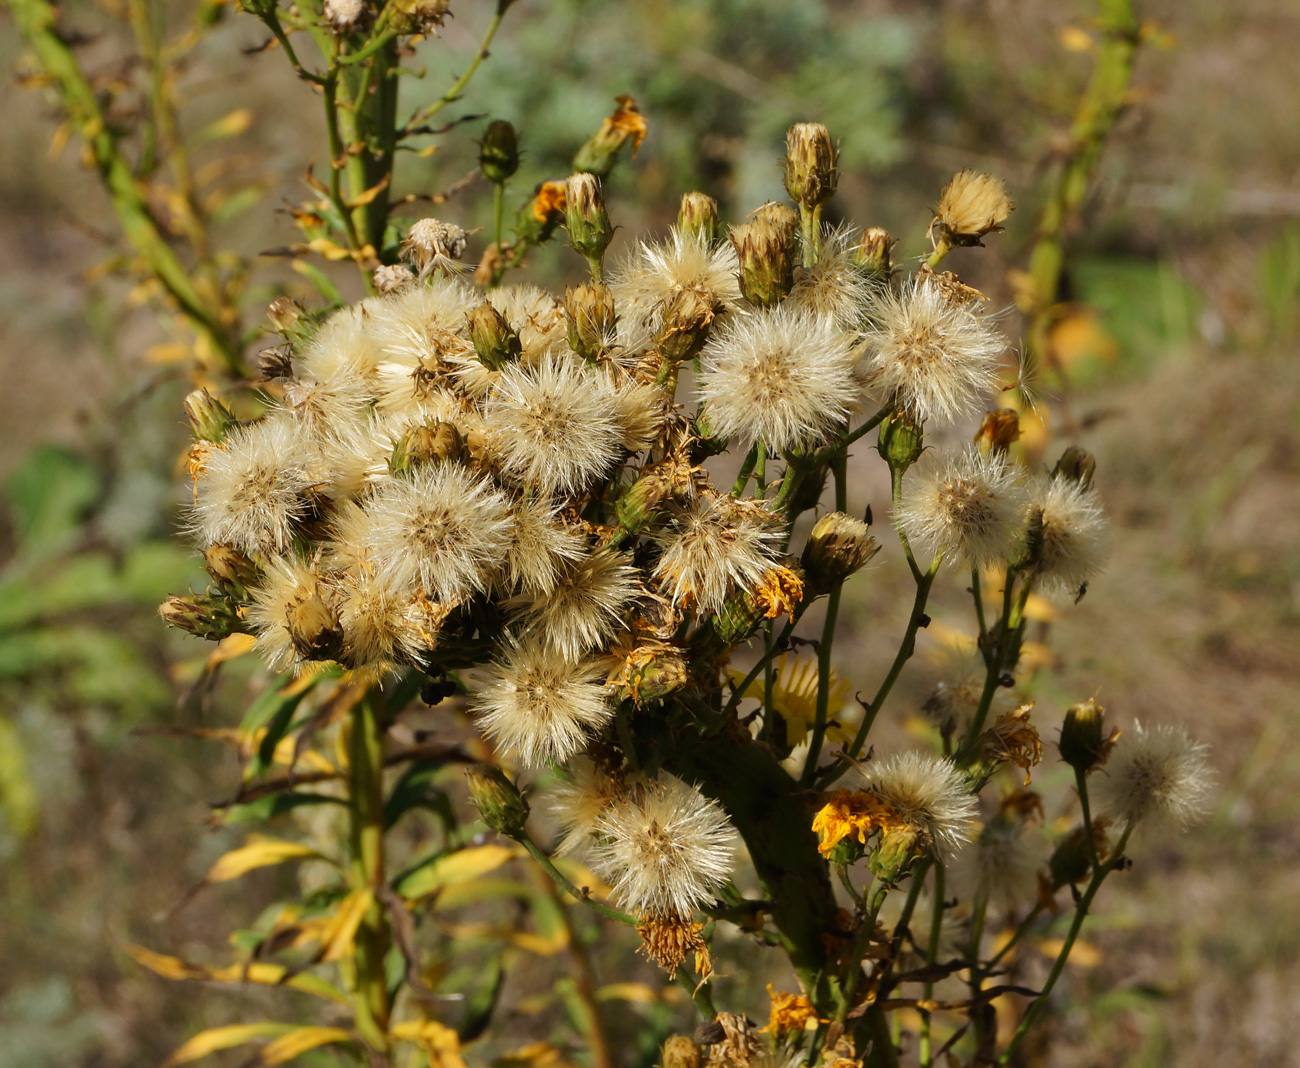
x=541, y=705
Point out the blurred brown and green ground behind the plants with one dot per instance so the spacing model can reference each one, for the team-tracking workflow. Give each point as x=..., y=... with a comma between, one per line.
x=1181, y=375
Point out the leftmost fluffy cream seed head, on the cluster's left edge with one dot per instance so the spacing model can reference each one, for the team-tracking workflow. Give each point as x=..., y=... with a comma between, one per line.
x=253, y=489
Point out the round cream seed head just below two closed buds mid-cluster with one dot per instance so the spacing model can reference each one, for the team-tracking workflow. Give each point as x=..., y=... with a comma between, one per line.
x=556, y=424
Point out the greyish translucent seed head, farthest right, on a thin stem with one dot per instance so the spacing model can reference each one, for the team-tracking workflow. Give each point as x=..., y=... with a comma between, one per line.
x=1155, y=774
